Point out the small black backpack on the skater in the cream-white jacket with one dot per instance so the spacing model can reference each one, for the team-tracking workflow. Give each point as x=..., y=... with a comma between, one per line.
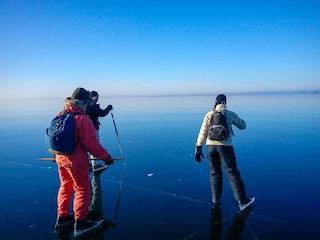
x=218, y=130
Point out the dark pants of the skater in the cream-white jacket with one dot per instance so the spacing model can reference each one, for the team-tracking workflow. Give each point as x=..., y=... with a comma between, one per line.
x=217, y=155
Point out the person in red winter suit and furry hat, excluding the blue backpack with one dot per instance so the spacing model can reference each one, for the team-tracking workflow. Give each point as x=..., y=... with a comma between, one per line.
x=73, y=168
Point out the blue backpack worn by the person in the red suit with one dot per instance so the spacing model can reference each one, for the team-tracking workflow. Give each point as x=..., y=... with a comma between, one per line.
x=59, y=137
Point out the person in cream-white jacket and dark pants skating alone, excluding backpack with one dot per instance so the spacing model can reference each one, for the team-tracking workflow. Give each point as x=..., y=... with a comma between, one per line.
x=222, y=152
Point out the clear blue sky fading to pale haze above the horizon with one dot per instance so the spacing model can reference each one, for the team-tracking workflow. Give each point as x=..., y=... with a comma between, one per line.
x=48, y=48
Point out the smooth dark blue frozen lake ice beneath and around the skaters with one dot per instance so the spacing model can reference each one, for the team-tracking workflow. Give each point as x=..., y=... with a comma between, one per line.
x=166, y=194
